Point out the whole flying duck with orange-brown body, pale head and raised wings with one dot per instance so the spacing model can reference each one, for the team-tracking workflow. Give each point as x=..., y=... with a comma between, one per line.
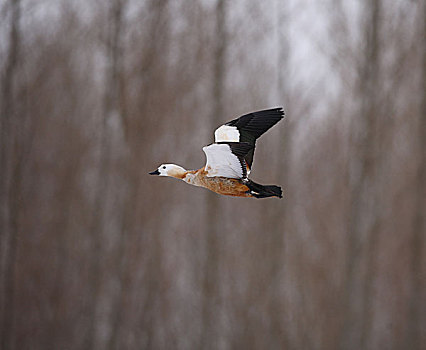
x=230, y=158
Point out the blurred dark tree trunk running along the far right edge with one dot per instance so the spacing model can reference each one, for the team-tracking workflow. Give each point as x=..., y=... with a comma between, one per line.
x=415, y=323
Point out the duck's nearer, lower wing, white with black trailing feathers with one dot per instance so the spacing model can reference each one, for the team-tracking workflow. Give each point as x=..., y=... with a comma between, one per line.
x=227, y=159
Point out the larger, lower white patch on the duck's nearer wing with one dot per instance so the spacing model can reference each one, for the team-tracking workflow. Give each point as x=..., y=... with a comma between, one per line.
x=222, y=162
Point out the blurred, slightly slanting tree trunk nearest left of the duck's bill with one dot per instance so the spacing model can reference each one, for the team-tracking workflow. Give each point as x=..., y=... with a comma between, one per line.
x=110, y=109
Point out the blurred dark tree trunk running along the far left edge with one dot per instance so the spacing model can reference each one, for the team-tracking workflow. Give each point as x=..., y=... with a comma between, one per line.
x=10, y=163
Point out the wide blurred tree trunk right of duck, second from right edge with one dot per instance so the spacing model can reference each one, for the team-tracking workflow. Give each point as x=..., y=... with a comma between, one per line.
x=362, y=229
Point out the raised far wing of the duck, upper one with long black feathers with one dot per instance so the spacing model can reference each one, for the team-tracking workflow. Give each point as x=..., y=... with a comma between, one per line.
x=248, y=128
